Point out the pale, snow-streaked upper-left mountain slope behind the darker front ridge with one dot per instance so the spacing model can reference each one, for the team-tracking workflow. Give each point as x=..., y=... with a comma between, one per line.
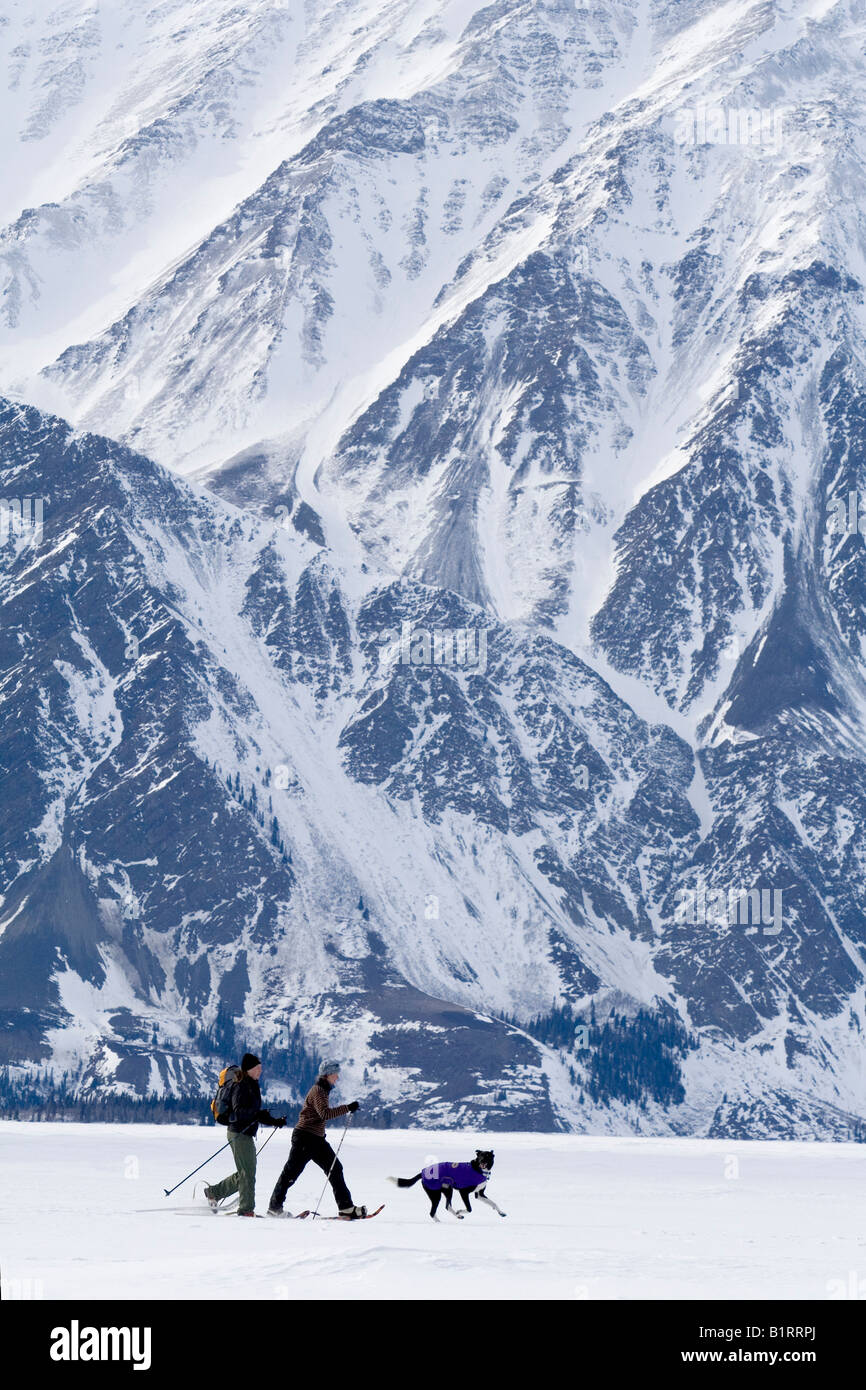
x=387, y=165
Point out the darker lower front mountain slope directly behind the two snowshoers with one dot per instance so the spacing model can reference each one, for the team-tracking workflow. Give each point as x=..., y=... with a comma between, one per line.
x=233, y=796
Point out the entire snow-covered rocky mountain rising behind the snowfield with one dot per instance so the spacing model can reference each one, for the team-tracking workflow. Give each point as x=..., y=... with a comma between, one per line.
x=522, y=334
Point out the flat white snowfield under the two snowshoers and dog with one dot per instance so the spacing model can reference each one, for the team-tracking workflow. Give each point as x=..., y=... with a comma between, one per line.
x=83, y=1216
